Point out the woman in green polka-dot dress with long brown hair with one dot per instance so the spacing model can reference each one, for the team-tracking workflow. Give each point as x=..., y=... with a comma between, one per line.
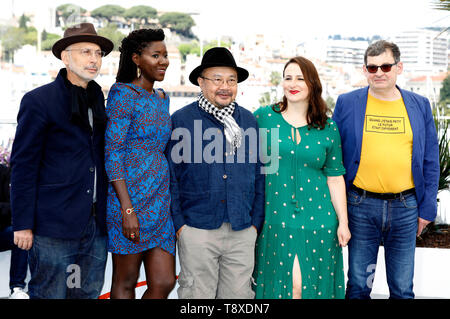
x=299, y=251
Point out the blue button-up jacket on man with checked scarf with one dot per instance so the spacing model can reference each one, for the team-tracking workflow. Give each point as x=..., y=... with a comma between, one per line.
x=204, y=191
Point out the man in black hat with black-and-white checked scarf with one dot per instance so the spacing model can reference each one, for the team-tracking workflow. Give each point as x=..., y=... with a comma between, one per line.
x=217, y=188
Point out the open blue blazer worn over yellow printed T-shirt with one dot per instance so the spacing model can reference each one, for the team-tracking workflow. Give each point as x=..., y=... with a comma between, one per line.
x=349, y=115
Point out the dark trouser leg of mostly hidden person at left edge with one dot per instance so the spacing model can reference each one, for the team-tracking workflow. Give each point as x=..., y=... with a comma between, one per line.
x=19, y=259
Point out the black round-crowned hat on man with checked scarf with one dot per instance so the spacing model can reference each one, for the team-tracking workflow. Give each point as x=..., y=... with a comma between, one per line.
x=217, y=56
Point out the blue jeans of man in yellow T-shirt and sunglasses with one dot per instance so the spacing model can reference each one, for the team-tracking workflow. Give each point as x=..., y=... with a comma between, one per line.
x=374, y=221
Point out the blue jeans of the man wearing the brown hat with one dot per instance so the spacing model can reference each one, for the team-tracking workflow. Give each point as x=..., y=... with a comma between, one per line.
x=68, y=268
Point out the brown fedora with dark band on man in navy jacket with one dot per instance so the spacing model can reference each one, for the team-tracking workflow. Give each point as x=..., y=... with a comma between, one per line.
x=83, y=32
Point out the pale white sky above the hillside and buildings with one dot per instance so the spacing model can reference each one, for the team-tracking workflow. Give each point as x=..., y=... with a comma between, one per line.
x=289, y=18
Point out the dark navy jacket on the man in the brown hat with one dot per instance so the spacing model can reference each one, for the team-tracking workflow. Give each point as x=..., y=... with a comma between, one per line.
x=53, y=161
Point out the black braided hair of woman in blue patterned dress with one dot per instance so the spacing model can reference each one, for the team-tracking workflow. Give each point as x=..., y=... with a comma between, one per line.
x=135, y=42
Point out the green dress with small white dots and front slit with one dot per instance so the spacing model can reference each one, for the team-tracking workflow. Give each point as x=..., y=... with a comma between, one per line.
x=299, y=216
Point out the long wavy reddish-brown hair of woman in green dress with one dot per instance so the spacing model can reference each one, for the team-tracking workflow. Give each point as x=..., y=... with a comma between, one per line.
x=317, y=110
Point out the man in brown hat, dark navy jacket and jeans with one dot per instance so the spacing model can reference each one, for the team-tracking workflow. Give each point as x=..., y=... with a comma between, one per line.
x=58, y=180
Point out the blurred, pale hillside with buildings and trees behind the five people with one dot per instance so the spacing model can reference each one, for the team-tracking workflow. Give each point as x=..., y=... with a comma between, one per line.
x=338, y=58
